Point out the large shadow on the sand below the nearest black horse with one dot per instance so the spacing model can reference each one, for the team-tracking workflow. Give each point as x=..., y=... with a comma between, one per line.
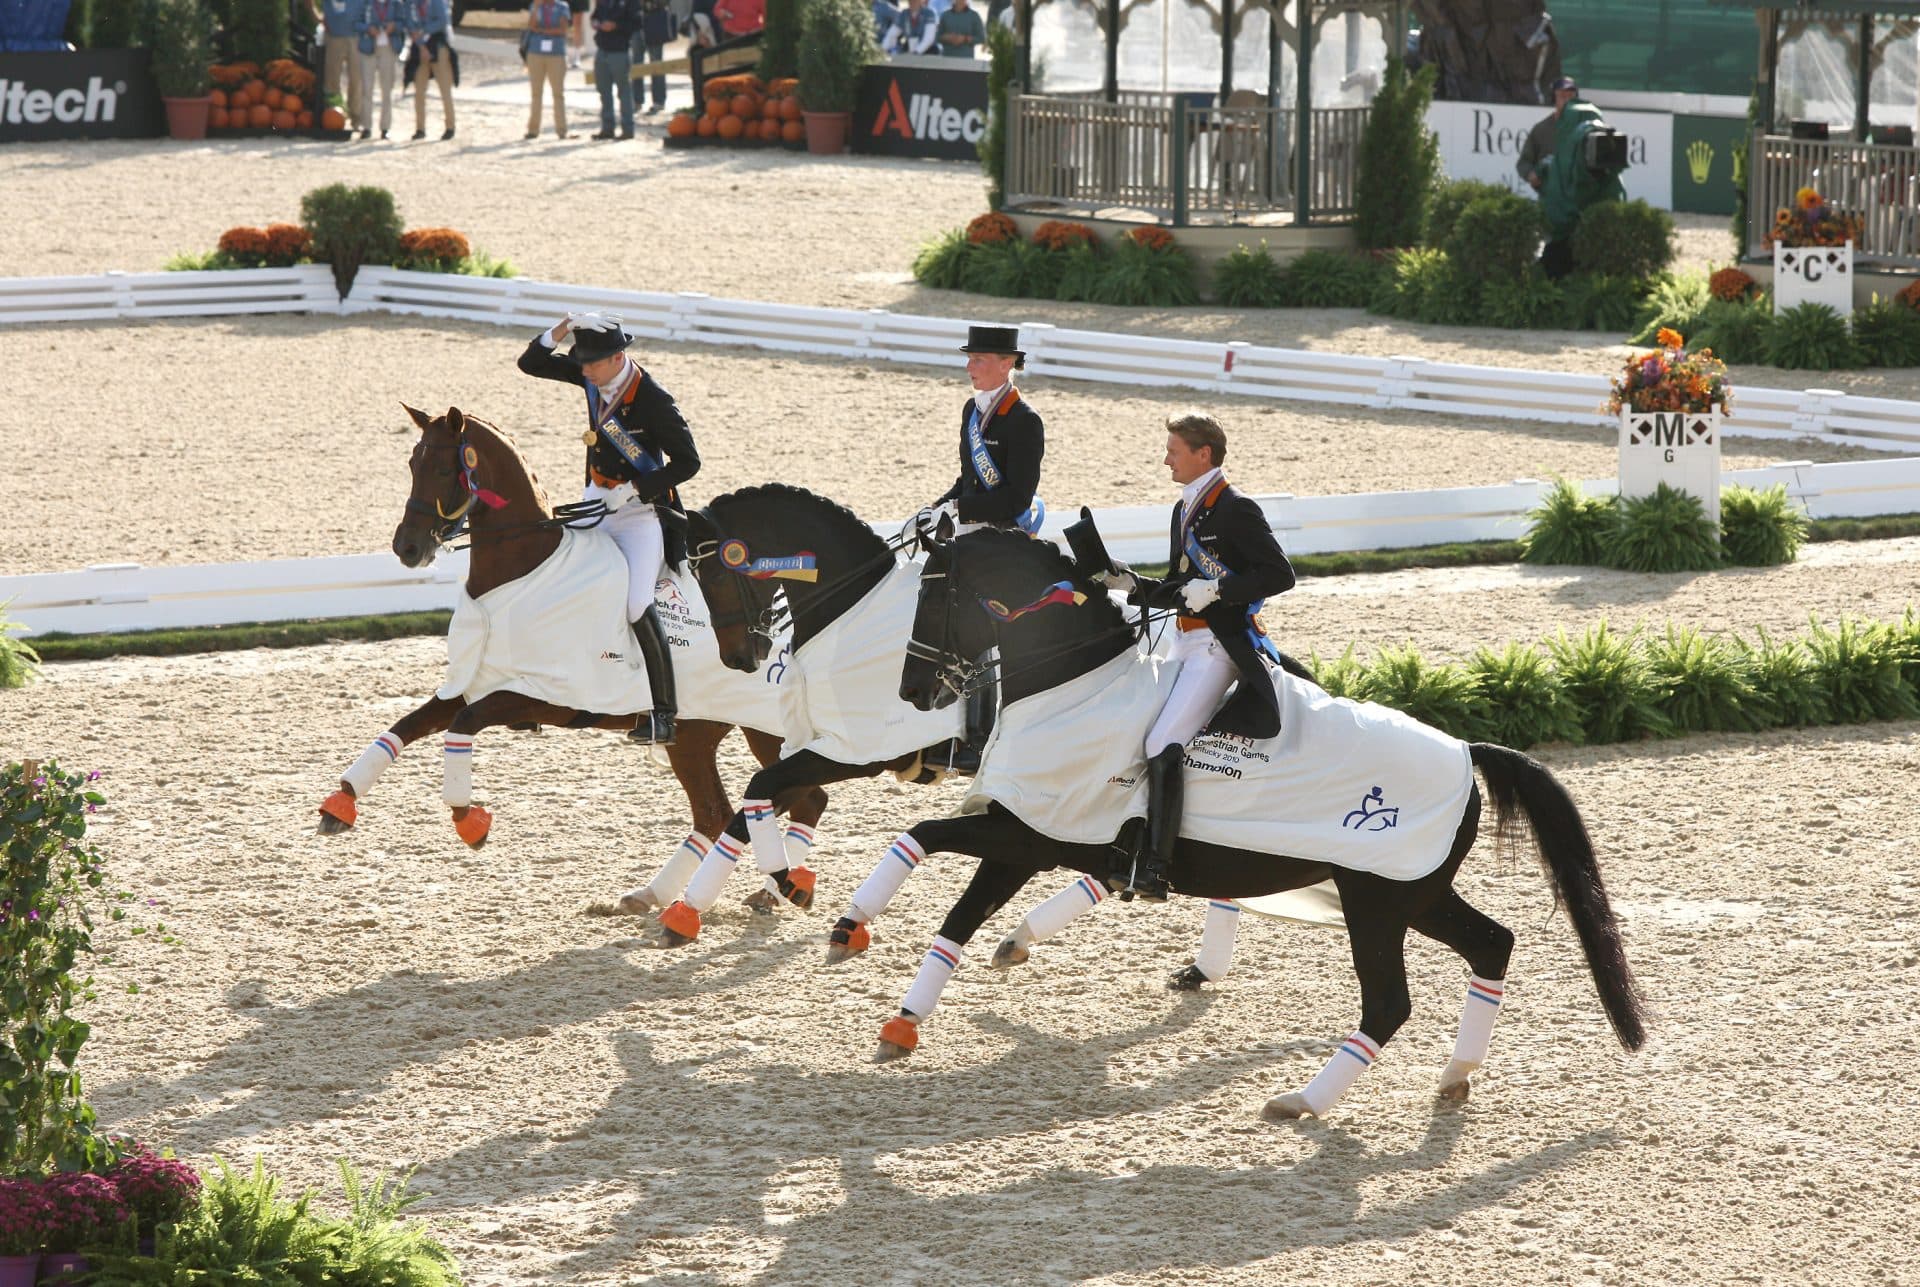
x=809, y=1161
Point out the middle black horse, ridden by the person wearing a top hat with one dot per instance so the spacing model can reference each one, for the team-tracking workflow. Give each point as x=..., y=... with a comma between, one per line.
x=825, y=560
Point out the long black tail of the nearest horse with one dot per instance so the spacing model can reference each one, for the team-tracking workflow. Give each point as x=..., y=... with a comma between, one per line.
x=1522, y=785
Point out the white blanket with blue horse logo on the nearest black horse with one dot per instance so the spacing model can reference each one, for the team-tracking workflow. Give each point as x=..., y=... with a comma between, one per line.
x=1347, y=783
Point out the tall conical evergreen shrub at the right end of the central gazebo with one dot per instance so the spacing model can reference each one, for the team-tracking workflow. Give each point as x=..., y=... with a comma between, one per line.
x=1399, y=160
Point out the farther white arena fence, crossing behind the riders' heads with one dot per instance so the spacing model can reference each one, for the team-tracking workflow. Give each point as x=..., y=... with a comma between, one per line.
x=875, y=335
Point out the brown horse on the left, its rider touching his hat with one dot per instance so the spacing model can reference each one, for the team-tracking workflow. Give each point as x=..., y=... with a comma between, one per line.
x=514, y=531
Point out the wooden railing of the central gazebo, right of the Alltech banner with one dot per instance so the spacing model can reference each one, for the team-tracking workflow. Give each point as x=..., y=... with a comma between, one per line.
x=1174, y=157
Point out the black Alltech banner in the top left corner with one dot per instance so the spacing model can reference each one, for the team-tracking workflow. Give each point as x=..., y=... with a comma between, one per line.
x=85, y=95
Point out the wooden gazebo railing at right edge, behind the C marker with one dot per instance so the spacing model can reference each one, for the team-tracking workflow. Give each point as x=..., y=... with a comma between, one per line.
x=1879, y=183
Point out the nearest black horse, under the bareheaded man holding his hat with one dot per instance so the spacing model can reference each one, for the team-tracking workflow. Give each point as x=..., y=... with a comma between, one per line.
x=963, y=614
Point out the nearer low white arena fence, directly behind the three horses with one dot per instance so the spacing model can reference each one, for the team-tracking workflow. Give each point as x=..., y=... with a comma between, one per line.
x=126, y=596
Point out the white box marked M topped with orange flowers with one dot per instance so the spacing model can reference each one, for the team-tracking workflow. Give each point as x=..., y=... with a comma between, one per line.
x=1671, y=404
